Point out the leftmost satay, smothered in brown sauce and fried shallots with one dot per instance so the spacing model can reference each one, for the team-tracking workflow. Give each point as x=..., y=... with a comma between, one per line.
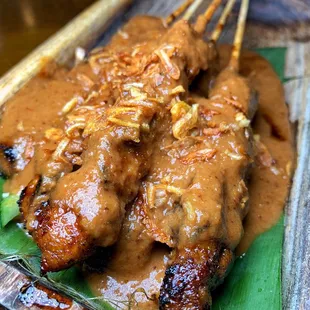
x=78, y=97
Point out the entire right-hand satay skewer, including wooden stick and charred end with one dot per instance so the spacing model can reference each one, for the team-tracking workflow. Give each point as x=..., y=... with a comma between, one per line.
x=212, y=225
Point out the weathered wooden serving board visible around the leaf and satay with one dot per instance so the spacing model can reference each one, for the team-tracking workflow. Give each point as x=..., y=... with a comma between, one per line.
x=271, y=23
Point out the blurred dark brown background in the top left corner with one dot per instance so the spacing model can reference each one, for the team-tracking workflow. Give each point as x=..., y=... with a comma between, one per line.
x=24, y=24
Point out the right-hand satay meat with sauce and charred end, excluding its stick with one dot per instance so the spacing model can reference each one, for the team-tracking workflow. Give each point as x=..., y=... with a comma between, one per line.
x=213, y=196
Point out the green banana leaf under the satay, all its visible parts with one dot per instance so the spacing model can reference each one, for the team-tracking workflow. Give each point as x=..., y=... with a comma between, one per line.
x=253, y=283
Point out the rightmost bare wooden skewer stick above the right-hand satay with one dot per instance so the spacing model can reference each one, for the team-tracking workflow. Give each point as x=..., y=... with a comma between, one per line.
x=235, y=55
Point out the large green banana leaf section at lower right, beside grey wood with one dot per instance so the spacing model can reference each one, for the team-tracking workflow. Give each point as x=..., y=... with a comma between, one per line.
x=256, y=277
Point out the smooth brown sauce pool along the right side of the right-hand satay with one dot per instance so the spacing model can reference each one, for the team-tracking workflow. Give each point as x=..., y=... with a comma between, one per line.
x=268, y=185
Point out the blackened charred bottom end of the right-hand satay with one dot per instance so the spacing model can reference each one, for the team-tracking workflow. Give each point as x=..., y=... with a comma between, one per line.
x=194, y=272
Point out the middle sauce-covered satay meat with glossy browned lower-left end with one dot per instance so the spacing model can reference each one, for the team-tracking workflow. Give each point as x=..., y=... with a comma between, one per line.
x=86, y=207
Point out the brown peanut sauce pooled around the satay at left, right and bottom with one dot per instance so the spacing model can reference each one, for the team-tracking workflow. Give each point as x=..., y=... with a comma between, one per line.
x=26, y=117
